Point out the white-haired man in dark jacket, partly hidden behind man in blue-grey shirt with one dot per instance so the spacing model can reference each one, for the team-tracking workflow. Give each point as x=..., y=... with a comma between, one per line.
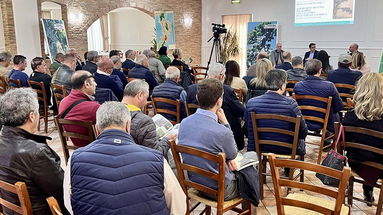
x=233, y=108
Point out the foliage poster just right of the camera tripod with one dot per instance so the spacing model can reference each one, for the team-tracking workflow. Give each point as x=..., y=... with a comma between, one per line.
x=262, y=37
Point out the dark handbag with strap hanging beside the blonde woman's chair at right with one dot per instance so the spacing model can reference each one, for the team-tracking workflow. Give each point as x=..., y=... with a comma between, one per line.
x=333, y=160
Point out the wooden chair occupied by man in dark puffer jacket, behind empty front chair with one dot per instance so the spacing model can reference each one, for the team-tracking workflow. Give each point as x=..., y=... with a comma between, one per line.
x=262, y=157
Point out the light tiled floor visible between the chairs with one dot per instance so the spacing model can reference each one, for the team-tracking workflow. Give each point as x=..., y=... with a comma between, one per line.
x=267, y=205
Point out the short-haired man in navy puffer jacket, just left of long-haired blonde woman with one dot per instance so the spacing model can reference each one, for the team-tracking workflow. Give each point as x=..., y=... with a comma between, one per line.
x=315, y=86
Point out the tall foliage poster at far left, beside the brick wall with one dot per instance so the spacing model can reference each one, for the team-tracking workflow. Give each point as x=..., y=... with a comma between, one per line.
x=55, y=36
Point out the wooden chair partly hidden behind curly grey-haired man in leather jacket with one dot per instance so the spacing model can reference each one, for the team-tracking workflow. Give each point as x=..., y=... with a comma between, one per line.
x=39, y=88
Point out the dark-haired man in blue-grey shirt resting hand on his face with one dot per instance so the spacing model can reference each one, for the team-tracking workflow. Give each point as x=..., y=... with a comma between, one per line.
x=209, y=130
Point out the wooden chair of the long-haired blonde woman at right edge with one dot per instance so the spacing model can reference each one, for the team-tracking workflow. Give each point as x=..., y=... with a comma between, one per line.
x=358, y=146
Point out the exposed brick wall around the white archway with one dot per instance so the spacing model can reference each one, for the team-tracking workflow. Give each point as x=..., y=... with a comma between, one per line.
x=188, y=39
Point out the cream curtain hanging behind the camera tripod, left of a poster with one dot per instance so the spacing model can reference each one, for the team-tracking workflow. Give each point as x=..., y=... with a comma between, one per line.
x=238, y=24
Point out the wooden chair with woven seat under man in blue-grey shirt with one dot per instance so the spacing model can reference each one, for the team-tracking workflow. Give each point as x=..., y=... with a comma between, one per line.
x=192, y=189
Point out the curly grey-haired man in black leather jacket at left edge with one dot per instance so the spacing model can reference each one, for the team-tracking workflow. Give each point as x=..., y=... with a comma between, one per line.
x=25, y=156
